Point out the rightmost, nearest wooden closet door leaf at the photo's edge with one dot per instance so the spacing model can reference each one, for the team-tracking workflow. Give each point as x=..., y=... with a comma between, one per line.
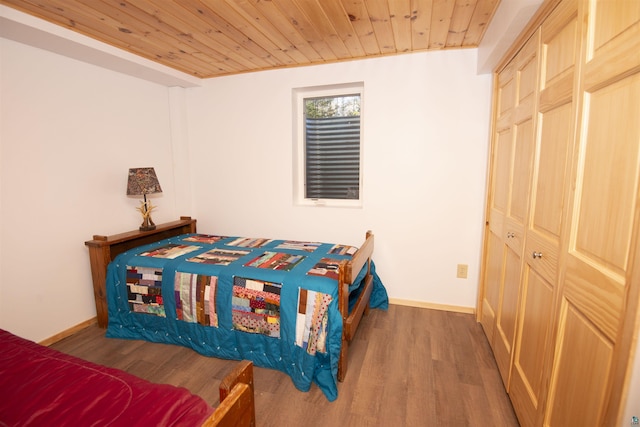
x=597, y=292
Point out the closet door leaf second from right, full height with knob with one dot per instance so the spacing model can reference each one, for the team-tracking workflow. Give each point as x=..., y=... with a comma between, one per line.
x=555, y=123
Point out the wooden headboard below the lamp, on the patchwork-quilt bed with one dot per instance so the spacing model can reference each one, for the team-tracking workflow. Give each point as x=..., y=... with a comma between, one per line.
x=103, y=249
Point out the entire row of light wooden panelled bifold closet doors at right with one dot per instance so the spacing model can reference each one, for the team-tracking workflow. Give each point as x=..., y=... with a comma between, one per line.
x=559, y=293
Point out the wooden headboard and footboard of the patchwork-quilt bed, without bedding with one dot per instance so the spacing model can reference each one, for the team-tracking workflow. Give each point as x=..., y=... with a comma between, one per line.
x=104, y=249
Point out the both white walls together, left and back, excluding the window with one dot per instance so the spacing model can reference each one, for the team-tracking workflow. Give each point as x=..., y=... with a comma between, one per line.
x=70, y=131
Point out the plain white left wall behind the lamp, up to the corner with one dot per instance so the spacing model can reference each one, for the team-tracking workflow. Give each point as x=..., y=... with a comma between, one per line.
x=69, y=131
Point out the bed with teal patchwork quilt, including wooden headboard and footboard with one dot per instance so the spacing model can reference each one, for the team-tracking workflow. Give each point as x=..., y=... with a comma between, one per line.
x=286, y=305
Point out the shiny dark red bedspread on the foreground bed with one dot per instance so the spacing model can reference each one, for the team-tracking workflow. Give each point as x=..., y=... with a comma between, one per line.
x=41, y=386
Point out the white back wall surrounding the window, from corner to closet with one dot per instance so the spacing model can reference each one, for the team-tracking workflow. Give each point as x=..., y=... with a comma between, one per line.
x=426, y=119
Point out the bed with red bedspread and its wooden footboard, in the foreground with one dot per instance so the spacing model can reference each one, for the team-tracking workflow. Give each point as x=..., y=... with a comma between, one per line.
x=108, y=395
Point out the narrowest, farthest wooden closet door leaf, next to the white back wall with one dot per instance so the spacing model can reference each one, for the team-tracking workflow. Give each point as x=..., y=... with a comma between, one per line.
x=498, y=199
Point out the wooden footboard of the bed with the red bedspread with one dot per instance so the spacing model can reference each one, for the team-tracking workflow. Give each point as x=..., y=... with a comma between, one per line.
x=237, y=405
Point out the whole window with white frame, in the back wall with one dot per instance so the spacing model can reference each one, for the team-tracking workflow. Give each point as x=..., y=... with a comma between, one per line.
x=327, y=145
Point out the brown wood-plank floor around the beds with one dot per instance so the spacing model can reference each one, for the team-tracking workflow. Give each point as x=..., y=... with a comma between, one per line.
x=407, y=367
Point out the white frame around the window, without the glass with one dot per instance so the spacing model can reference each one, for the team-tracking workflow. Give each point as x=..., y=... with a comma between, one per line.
x=299, y=182
